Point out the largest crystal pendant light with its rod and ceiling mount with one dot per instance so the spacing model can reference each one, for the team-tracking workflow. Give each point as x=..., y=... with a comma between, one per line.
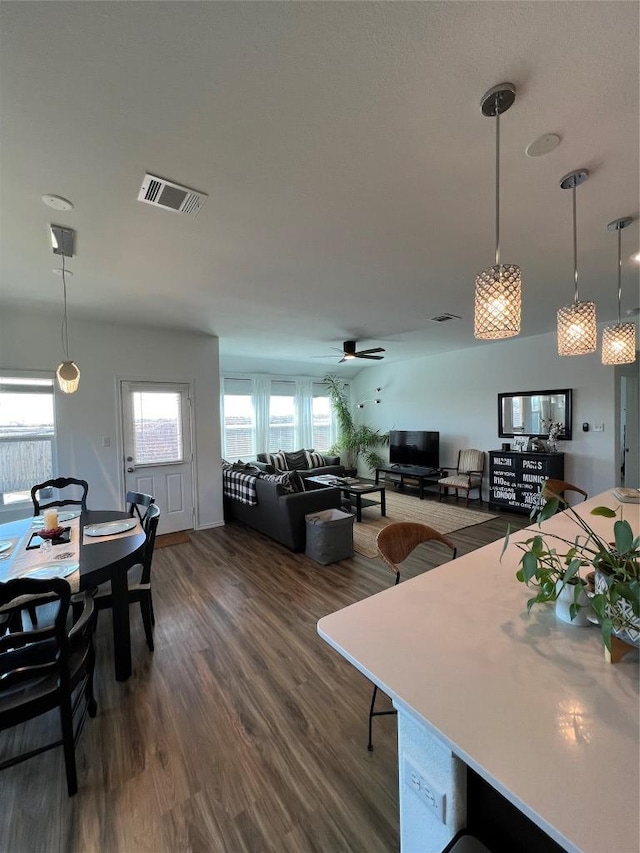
x=498, y=289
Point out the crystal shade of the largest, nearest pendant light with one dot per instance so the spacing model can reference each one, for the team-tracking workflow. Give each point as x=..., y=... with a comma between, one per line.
x=498, y=303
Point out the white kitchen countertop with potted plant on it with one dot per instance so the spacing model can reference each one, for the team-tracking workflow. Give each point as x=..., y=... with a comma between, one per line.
x=527, y=701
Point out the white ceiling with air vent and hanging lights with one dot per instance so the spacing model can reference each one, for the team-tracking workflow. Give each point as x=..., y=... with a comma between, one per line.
x=349, y=169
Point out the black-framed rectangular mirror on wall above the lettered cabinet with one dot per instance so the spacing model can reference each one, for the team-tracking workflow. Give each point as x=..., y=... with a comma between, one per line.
x=523, y=413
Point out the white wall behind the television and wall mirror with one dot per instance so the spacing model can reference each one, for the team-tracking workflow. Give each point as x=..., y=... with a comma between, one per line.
x=457, y=394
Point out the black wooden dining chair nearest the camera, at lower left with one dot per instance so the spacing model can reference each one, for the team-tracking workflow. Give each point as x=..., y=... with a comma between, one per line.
x=41, y=668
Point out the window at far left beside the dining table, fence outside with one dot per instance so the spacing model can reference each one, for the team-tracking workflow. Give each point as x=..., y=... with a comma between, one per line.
x=27, y=436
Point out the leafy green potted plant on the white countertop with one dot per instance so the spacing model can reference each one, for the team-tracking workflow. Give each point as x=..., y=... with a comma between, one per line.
x=551, y=563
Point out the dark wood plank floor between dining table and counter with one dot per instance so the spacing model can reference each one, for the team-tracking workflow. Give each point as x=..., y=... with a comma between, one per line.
x=243, y=732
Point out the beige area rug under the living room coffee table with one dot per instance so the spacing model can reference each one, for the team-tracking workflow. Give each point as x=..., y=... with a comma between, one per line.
x=444, y=517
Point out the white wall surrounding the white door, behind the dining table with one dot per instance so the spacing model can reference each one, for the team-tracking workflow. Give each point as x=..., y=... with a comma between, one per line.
x=105, y=354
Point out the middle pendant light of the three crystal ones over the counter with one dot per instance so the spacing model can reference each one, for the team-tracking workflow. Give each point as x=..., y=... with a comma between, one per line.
x=577, y=332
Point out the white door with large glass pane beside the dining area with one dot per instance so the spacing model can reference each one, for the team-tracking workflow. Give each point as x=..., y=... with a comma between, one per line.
x=158, y=460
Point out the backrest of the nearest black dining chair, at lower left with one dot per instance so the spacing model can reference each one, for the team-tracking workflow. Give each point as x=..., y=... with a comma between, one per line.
x=26, y=655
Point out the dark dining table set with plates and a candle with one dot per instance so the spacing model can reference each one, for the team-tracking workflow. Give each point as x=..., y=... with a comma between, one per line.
x=101, y=559
